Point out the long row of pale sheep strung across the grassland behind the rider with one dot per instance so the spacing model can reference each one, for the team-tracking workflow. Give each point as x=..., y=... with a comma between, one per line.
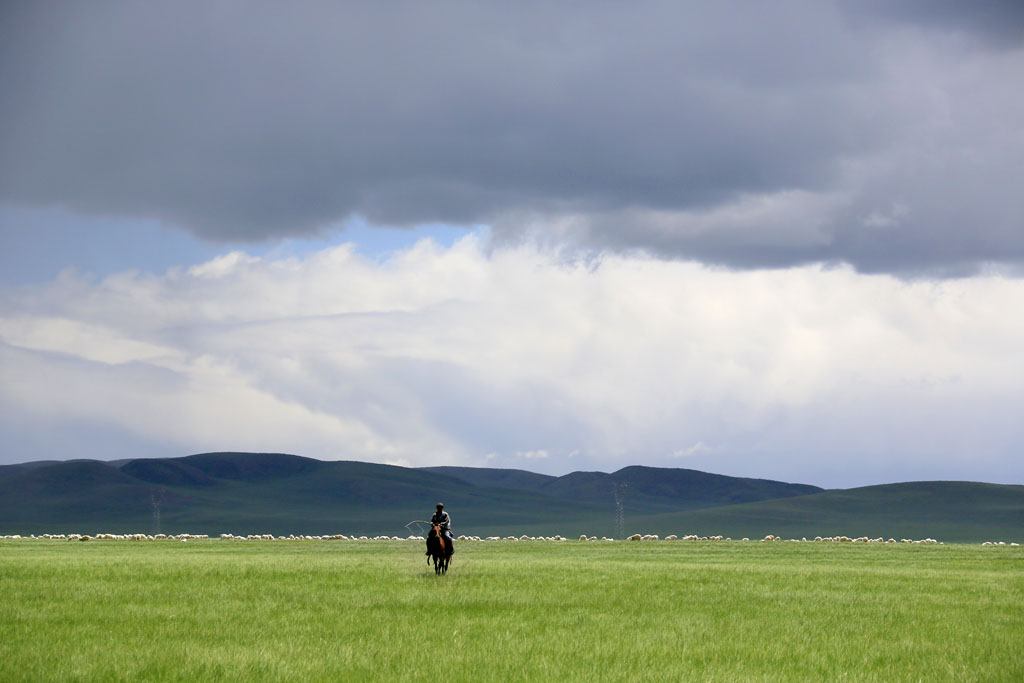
x=343, y=537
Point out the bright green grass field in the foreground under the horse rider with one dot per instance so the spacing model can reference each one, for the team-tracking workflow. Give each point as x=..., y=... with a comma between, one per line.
x=530, y=611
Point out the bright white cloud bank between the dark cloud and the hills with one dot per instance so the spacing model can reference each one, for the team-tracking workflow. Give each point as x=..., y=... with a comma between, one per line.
x=440, y=355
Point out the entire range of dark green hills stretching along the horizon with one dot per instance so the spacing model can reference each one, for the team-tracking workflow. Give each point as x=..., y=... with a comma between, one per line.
x=283, y=494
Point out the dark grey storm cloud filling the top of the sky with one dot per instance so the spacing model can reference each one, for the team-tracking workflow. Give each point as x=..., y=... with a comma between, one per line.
x=662, y=127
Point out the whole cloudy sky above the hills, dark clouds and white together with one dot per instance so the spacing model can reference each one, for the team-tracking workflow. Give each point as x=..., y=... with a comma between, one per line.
x=775, y=240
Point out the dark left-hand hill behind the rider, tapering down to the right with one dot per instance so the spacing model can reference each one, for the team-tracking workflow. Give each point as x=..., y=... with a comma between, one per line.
x=257, y=494
